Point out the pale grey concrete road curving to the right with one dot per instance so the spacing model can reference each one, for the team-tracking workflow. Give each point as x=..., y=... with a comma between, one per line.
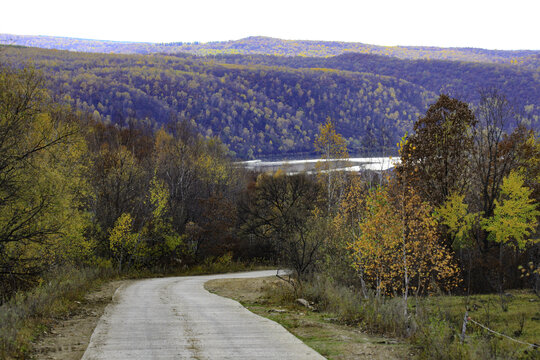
x=176, y=318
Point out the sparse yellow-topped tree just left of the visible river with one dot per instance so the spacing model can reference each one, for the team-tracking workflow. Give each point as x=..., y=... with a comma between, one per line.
x=202, y=186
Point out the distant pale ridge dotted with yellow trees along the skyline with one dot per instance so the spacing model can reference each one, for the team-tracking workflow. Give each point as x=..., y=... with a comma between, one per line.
x=273, y=46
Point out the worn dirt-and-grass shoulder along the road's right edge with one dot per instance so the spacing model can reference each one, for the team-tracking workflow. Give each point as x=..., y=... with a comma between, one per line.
x=320, y=330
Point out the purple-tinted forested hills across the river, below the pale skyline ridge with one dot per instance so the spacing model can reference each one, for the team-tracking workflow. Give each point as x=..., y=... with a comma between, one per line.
x=263, y=106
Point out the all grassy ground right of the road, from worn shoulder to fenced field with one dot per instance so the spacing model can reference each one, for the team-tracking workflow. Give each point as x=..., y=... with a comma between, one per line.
x=432, y=328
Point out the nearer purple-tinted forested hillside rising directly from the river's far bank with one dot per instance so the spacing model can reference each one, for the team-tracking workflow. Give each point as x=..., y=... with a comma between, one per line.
x=257, y=110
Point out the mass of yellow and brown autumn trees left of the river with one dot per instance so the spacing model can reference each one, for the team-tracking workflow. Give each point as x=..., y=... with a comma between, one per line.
x=77, y=191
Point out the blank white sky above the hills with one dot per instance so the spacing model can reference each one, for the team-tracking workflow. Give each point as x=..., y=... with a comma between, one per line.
x=492, y=24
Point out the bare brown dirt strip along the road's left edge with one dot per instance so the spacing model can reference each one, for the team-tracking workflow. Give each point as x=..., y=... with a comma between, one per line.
x=69, y=337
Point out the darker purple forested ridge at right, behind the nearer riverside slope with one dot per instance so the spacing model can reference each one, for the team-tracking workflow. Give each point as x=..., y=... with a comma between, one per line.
x=461, y=79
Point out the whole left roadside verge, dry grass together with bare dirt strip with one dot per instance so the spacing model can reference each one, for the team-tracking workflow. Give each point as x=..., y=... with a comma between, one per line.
x=66, y=298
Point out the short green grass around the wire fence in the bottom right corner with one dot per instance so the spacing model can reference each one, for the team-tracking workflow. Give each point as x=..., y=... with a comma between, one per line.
x=440, y=320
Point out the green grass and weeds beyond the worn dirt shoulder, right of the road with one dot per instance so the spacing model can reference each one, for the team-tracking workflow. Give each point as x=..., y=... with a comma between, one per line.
x=433, y=324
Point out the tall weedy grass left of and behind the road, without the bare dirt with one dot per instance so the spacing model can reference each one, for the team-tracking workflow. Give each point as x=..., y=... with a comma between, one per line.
x=29, y=316
